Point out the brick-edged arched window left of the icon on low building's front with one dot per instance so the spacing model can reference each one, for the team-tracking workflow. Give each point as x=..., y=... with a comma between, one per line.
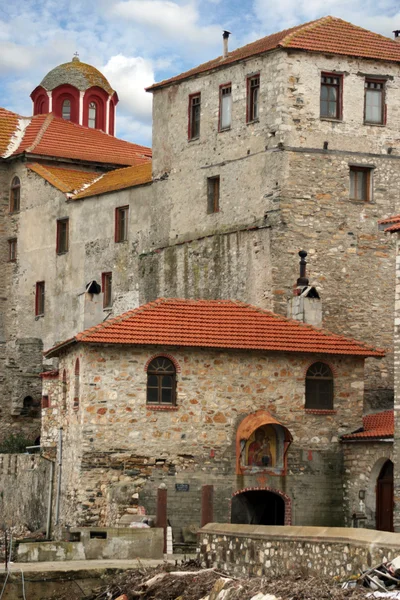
x=161, y=382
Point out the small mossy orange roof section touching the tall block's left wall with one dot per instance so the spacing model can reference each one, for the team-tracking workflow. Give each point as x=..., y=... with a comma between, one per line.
x=118, y=180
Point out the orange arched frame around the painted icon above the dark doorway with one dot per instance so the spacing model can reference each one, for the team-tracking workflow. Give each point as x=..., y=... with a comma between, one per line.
x=248, y=426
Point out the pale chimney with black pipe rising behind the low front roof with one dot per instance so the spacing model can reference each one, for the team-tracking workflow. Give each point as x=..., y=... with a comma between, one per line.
x=305, y=304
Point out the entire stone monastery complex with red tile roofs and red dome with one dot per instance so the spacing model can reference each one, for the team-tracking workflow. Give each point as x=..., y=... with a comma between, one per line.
x=158, y=284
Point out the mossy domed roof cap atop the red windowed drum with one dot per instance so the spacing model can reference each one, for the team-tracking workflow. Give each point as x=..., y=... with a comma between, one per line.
x=78, y=74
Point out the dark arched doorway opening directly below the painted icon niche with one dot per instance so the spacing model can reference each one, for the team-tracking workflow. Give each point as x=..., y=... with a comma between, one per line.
x=258, y=507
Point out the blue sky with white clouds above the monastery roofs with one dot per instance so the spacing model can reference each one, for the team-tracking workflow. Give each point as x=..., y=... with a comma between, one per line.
x=137, y=42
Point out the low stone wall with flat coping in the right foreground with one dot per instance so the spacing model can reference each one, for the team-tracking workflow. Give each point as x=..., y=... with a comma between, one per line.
x=269, y=550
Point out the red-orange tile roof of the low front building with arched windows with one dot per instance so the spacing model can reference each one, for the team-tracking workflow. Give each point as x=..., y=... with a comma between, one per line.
x=217, y=324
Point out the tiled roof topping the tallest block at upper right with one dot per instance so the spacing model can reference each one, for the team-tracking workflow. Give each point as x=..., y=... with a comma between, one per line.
x=327, y=35
